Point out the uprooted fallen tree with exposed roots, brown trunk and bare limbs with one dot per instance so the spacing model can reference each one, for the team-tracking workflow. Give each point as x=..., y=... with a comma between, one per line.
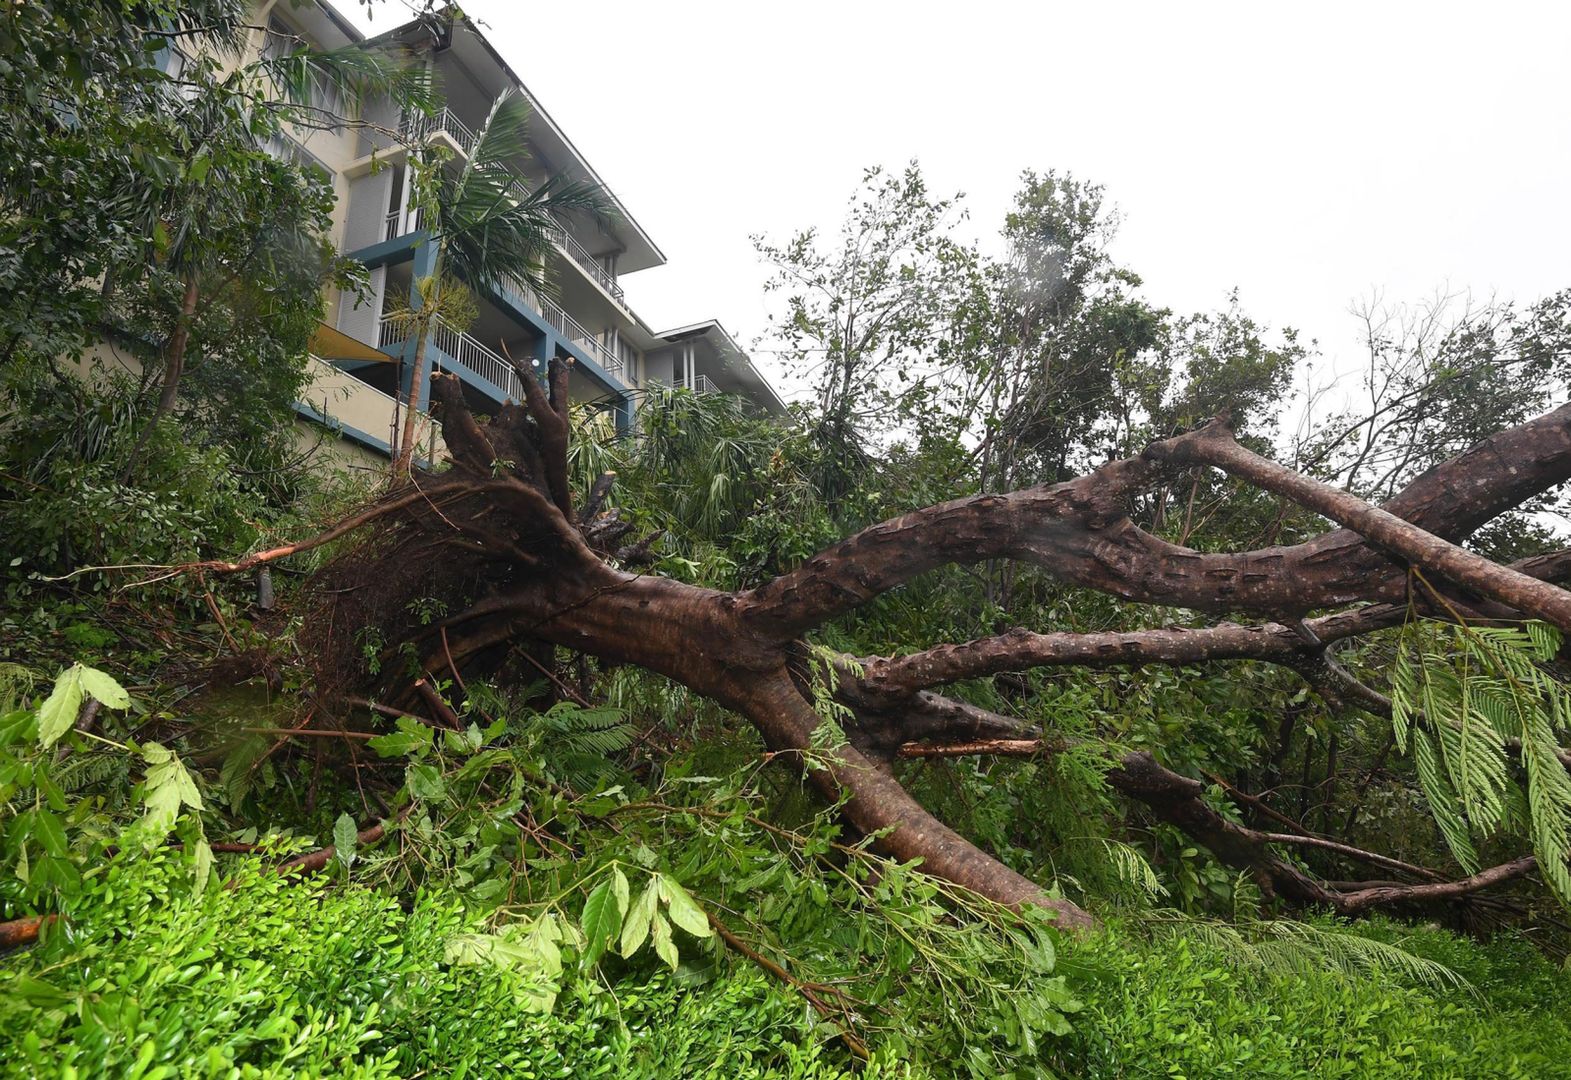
x=519, y=570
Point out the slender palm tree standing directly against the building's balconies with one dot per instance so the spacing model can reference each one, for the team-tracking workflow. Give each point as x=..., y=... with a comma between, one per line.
x=488, y=229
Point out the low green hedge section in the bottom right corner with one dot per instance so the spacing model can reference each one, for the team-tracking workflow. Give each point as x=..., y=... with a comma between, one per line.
x=1184, y=1007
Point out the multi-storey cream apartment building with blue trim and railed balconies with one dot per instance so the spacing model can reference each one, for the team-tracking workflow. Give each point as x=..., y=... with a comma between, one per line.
x=357, y=354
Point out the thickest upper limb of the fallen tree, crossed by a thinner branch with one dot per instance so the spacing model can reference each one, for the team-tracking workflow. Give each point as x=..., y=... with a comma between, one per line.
x=1080, y=532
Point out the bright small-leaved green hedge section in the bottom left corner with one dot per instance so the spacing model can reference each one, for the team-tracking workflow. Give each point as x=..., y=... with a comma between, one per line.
x=274, y=977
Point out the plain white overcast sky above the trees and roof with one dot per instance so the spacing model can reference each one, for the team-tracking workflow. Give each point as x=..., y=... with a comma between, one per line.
x=1306, y=155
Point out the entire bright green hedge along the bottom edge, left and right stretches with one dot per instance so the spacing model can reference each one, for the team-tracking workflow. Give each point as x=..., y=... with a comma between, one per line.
x=268, y=977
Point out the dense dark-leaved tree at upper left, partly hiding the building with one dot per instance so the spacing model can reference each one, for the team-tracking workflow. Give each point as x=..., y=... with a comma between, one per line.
x=142, y=202
